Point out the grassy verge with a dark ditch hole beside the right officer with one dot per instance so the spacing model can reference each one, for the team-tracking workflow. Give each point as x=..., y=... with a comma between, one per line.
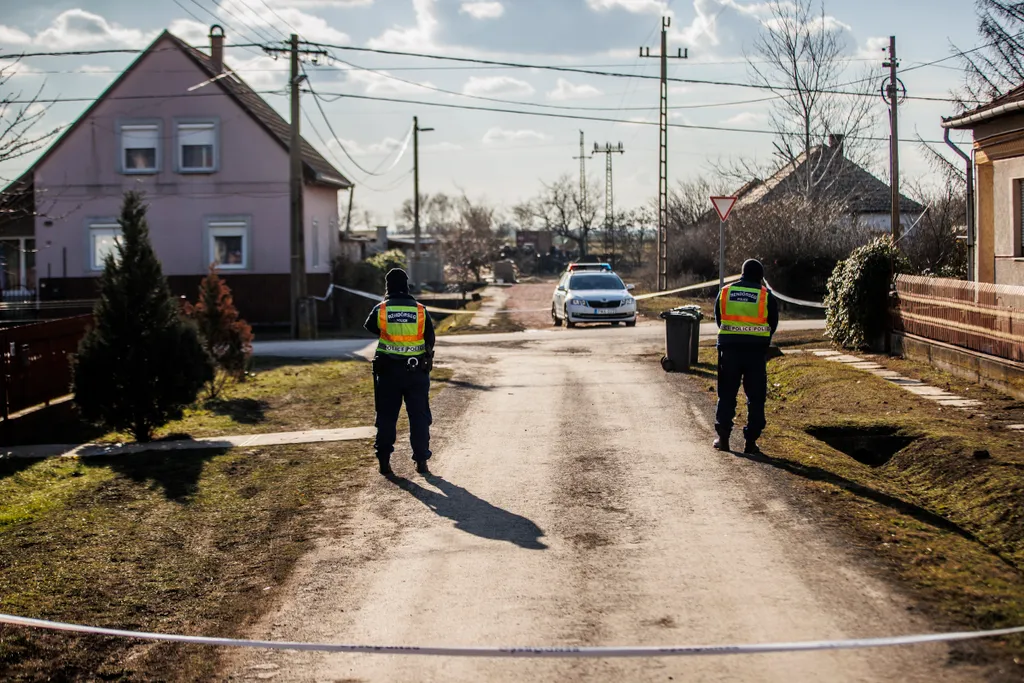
x=947, y=523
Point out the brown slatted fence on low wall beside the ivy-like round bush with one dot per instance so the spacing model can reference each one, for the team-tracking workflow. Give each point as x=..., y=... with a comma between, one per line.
x=989, y=319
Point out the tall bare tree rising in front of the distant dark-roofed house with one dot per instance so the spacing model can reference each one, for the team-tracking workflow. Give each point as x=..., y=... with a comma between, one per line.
x=800, y=57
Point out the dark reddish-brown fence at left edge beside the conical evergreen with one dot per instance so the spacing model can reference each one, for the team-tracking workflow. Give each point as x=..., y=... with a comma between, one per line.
x=34, y=362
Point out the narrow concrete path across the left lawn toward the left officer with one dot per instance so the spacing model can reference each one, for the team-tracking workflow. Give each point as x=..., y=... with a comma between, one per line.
x=244, y=441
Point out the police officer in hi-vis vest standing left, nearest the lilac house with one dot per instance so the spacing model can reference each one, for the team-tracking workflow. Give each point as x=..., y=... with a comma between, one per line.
x=402, y=370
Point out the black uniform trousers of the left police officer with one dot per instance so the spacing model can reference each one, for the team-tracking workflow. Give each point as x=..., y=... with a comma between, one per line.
x=395, y=383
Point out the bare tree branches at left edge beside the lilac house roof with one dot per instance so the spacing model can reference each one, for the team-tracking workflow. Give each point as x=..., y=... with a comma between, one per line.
x=20, y=137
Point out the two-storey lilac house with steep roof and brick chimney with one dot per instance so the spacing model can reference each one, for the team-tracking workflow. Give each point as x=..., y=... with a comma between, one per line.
x=212, y=158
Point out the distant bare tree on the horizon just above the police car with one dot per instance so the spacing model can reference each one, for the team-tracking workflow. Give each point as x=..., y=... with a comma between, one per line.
x=564, y=210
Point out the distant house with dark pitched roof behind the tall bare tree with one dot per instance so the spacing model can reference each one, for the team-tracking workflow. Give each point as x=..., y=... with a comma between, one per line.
x=833, y=176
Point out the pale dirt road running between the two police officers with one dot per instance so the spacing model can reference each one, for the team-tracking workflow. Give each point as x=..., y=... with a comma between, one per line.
x=577, y=501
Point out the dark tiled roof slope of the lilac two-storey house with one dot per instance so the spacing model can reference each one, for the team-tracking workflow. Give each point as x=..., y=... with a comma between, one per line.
x=317, y=168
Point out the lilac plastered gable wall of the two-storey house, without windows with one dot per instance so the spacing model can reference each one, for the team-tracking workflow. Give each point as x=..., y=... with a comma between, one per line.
x=81, y=180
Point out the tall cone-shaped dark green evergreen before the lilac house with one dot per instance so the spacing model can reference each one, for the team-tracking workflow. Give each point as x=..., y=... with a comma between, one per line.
x=142, y=364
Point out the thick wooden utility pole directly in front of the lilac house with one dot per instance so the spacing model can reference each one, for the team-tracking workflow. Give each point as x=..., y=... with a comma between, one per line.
x=304, y=311
